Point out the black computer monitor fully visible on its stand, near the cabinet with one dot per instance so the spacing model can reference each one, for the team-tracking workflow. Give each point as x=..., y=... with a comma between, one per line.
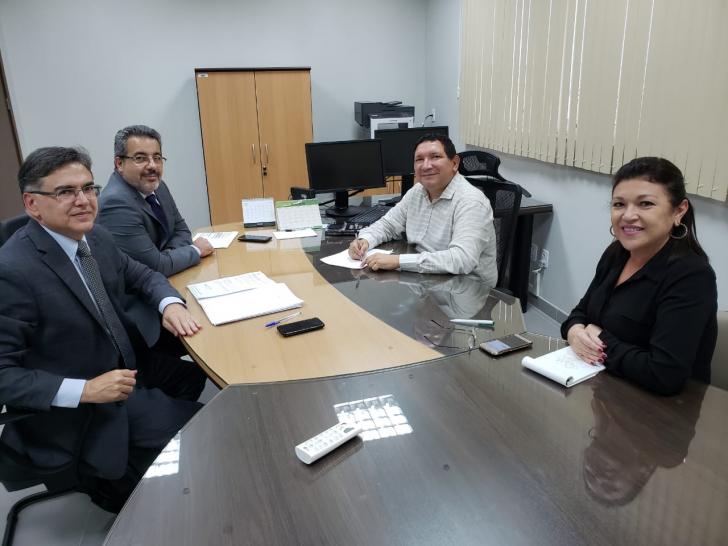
x=342, y=166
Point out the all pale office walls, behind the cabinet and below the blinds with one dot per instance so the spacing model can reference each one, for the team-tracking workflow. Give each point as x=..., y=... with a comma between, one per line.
x=79, y=70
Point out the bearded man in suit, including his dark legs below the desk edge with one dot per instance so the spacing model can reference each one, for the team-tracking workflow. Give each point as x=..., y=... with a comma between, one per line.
x=139, y=211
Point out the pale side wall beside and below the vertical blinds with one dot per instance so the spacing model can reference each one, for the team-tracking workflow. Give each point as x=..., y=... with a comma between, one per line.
x=577, y=232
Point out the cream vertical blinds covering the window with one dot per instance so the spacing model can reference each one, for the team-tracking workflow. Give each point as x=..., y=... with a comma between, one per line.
x=595, y=83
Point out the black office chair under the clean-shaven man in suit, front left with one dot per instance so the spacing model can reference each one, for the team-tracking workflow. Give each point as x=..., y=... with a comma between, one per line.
x=17, y=472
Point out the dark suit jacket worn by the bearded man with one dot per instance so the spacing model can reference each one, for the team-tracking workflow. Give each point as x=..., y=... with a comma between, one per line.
x=139, y=233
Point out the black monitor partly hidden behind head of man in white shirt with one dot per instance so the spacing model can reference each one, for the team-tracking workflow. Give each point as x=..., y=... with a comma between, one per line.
x=398, y=150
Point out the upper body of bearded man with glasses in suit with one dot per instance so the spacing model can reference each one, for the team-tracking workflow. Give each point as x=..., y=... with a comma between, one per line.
x=138, y=209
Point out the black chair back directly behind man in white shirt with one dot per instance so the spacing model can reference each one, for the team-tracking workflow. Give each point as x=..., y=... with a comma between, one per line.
x=505, y=198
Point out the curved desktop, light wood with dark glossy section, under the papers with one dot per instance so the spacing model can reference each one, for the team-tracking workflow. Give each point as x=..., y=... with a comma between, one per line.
x=373, y=320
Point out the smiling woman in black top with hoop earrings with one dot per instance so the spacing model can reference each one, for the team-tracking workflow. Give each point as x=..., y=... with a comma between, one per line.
x=649, y=314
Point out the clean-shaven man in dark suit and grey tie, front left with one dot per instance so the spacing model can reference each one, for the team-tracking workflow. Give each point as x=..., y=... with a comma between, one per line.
x=67, y=348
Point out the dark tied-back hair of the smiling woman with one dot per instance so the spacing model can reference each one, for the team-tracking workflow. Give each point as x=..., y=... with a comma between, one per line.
x=661, y=171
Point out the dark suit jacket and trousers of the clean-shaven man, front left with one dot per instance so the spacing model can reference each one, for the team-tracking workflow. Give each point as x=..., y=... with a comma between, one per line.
x=51, y=330
